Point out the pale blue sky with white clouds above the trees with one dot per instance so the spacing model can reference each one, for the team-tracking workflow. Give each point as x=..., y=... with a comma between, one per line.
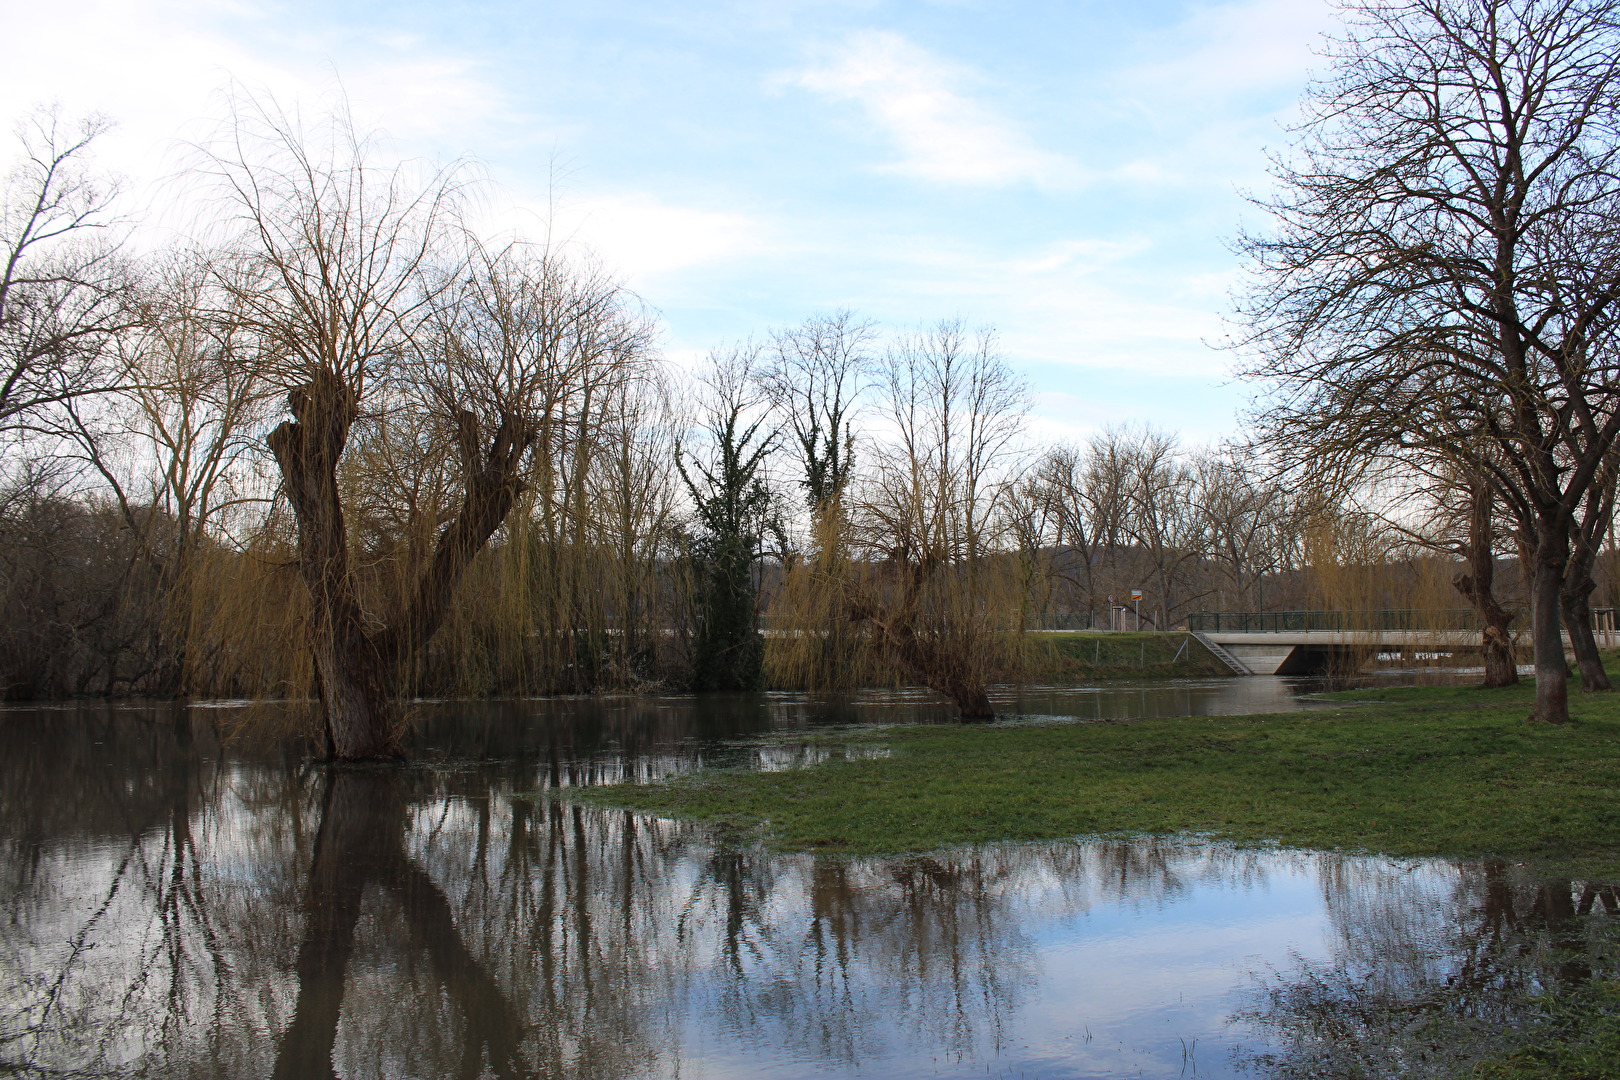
x=1070, y=172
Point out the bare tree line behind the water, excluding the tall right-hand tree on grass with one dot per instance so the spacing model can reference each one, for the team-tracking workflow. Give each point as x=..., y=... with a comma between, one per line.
x=344, y=448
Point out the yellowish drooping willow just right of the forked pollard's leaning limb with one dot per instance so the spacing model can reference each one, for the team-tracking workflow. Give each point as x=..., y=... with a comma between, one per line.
x=565, y=603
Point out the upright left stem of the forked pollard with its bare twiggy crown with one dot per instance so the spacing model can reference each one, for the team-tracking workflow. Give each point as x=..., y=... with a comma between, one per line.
x=333, y=271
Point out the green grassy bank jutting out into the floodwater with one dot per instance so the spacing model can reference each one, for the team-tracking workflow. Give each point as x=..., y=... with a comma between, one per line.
x=1415, y=772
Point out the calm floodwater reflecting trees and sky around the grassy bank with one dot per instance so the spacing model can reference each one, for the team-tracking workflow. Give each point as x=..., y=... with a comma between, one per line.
x=182, y=903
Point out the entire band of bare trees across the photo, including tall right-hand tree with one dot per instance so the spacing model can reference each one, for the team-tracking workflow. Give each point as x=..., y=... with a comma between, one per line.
x=344, y=444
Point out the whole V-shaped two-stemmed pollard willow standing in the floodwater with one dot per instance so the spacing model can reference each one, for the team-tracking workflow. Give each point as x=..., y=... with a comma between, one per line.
x=372, y=305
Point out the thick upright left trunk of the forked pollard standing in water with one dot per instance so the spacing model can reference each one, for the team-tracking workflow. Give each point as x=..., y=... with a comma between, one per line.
x=352, y=676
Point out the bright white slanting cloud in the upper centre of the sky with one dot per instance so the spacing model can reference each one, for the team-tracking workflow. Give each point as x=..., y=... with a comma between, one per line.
x=940, y=134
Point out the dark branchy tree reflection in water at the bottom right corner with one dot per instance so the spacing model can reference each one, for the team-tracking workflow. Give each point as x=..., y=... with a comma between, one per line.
x=1425, y=984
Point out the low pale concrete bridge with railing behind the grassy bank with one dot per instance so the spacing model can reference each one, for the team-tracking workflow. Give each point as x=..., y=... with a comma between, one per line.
x=1298, y=644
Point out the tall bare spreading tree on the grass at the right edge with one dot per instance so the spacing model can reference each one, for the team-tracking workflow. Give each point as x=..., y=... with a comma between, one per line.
x=1444, y=261
